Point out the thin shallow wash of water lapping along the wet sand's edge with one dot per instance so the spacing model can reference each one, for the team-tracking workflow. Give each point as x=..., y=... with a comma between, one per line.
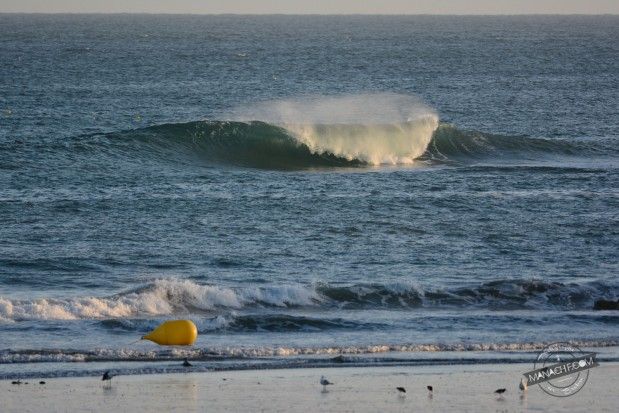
x=171, y=363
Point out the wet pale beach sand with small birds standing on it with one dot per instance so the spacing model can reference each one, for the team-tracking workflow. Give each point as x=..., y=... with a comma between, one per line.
x=362, y=389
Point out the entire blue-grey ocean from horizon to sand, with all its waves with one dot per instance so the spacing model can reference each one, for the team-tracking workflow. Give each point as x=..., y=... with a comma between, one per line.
x=309, y=190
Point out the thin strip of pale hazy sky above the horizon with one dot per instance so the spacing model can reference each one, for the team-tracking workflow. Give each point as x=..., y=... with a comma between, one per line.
x=315, y=6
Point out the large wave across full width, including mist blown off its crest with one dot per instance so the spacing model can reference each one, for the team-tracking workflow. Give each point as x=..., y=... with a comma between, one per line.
x=322, y=132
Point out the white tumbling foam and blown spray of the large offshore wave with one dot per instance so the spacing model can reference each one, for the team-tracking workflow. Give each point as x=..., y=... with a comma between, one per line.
x=378, y=129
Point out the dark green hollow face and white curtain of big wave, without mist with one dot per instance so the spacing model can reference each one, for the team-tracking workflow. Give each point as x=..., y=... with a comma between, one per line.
x=262, y=145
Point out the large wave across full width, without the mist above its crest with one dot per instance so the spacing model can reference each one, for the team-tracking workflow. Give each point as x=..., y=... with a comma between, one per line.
x=263, y=145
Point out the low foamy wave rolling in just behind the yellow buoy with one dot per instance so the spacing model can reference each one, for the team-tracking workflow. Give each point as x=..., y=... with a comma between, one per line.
x=182, y=297
